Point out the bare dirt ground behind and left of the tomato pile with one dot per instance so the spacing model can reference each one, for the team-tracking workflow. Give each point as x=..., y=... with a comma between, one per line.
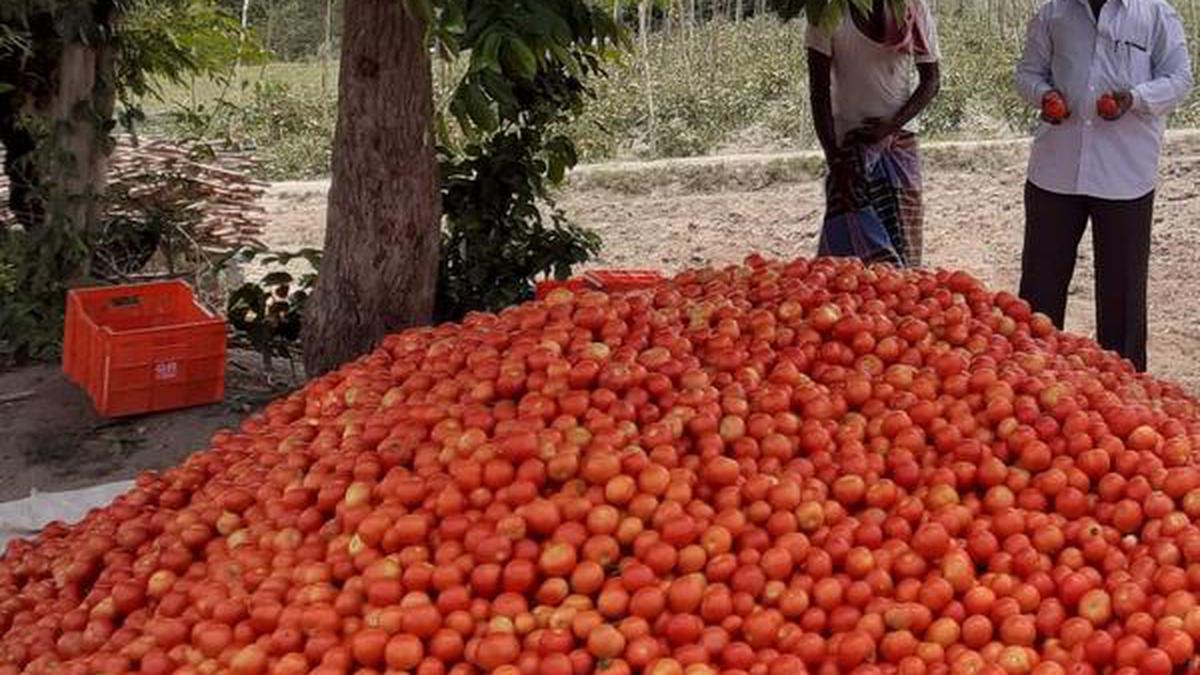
x=667, y=216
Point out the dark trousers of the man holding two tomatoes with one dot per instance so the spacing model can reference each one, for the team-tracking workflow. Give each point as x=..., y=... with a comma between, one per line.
x=1054, y=225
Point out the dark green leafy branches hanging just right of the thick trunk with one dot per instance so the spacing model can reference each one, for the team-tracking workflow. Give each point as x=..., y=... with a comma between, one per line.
x=523, y=73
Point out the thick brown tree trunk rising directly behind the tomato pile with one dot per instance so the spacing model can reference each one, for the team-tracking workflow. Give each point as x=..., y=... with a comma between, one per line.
x=382, y=235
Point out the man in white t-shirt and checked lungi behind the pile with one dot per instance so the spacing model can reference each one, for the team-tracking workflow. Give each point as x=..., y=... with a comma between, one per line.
x=869, y=79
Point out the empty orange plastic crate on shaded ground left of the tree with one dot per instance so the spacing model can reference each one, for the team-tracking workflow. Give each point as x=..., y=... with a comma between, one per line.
x=143, y=348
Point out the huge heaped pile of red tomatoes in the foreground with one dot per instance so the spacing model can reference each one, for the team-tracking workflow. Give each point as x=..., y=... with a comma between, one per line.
x=772, y=469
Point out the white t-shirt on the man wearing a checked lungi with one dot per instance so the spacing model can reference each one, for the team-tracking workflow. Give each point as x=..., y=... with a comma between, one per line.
x=869, y=80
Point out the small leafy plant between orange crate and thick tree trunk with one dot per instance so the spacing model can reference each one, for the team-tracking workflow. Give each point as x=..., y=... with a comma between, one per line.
x=266, y=316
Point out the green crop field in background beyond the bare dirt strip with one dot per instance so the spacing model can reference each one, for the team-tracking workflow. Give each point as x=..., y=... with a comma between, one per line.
x=716, y=88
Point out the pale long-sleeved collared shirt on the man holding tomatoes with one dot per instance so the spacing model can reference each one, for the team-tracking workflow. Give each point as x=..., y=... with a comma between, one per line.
x=1136, y=46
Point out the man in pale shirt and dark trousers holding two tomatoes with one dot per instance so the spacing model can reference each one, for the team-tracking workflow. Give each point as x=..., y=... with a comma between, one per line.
x=1100, y=160
